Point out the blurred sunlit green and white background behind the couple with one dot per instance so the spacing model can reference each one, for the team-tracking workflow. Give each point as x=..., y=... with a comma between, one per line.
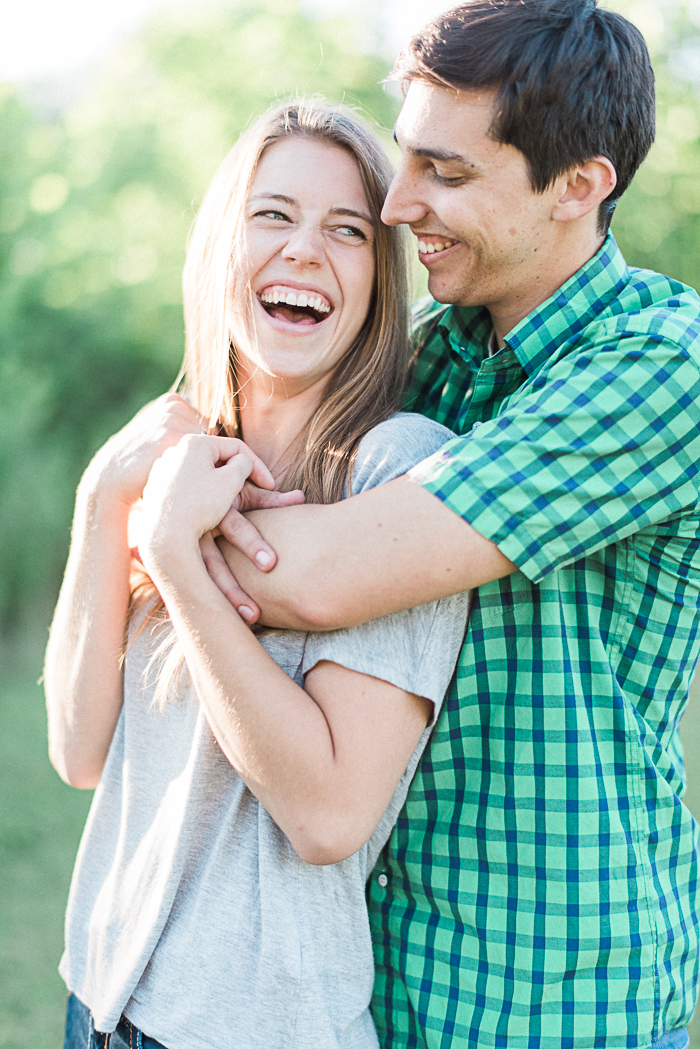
x=112, y=124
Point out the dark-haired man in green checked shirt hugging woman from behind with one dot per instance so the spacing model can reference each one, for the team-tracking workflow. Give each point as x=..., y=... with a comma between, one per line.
x=541, y=887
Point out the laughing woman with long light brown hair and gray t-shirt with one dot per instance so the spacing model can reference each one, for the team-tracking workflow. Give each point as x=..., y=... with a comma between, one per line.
x=246, y=783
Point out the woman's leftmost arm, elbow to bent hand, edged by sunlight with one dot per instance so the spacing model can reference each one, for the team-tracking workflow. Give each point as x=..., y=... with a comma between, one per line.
x=83, y=673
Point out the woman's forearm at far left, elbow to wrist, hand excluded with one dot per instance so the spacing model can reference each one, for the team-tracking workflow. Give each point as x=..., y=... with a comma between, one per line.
x=83, y=670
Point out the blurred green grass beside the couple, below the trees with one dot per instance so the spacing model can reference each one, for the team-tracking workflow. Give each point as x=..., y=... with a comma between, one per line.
x=40, y=825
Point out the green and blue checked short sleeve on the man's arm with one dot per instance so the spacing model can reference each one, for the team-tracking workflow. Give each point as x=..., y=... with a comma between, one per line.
x=603, y=443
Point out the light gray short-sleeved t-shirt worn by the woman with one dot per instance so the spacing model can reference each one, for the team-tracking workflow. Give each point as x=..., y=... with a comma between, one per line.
x=189, y=910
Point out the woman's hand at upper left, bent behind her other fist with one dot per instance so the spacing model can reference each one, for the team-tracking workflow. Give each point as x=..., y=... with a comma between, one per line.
x=123, y=465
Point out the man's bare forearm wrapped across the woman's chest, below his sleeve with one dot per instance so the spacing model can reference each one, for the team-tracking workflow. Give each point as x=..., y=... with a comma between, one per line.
x=387, y=550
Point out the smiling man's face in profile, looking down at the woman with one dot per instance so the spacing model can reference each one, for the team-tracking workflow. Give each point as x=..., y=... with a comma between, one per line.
x=482, y=231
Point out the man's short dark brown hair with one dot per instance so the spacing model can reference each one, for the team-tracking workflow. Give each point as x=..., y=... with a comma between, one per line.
x=572, y=81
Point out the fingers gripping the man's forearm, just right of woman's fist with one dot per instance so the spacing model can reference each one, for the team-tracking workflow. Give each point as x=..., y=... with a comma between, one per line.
x=243, y=534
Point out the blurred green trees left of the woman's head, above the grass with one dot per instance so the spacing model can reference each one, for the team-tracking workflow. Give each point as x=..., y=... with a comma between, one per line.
x=95, y=210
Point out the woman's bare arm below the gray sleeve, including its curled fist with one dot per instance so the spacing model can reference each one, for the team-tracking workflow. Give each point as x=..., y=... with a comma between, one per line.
x=324, y=760
